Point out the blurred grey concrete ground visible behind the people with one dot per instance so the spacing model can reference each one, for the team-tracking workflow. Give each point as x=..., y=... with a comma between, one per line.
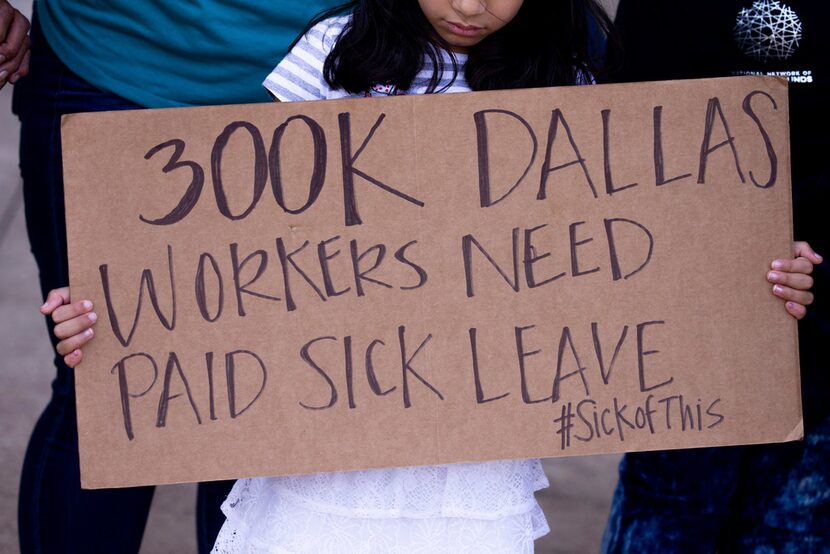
x=576, y=503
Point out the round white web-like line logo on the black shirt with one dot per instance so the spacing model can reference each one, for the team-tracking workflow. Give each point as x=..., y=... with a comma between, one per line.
x=769, y=30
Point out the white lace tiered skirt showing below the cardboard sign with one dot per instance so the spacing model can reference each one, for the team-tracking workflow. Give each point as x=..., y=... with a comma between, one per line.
x=486, y=507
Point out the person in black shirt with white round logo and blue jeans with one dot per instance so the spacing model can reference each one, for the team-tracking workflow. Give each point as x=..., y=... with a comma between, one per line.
x=767, y=498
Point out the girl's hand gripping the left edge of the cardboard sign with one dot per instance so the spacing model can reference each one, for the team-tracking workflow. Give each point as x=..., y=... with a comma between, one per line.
x=73, y=323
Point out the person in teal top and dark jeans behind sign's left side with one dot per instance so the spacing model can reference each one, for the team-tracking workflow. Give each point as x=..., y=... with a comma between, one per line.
x=115, y=55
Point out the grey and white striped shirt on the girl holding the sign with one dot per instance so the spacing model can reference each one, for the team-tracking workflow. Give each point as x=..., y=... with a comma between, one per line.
x=299, y=76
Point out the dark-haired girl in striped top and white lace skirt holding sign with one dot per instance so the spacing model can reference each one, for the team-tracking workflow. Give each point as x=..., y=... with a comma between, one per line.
x=389, y=47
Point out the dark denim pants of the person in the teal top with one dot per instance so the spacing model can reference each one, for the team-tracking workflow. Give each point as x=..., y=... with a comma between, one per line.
x=54, y=513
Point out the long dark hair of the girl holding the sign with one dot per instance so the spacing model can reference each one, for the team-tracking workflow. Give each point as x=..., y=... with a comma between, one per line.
x=548, y=42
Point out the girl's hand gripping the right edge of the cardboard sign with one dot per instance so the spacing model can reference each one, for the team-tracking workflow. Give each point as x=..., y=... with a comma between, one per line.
x=792, y=281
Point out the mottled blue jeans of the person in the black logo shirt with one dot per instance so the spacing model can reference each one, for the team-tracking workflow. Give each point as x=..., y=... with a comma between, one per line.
x=763, y=499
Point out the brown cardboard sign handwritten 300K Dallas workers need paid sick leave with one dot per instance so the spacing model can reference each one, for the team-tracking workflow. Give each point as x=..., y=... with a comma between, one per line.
x=320, y=286
